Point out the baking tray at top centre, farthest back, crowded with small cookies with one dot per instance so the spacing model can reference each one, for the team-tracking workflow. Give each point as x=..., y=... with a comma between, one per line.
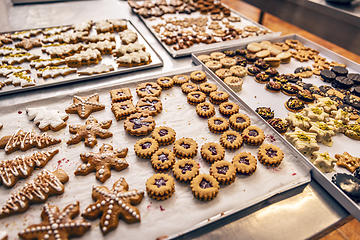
x=202, y=46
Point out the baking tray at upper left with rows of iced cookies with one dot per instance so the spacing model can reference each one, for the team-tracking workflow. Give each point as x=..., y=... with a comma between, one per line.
x=71, y=78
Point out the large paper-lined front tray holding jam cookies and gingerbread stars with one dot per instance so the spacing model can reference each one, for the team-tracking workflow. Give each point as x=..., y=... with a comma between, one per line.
x=182, y=212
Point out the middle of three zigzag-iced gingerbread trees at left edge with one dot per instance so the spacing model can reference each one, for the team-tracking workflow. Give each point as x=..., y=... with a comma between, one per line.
x=21, y=167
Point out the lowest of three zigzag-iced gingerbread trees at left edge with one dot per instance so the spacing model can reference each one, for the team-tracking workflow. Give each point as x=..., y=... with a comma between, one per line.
x=44, y=185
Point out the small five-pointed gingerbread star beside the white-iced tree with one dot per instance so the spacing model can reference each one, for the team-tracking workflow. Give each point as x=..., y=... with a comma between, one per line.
x=84, y=106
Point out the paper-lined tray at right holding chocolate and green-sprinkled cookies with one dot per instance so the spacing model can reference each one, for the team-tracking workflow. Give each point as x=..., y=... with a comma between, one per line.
x=255, y=95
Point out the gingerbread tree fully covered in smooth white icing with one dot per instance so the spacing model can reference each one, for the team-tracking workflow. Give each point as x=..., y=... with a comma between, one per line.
x=47, y=119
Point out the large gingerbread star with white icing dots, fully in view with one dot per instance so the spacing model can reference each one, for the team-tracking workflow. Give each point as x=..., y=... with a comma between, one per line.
x=113, y=204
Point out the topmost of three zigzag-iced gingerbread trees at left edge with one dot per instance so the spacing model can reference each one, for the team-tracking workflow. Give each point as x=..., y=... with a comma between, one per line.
x=25, y=140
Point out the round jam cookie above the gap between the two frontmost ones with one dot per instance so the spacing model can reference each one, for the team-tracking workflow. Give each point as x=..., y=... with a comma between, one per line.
x=185, y=170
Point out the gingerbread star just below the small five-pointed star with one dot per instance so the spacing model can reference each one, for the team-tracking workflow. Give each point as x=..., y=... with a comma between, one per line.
x=89, y=132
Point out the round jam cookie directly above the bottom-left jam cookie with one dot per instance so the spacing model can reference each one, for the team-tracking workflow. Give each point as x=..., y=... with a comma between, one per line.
x=162, y=159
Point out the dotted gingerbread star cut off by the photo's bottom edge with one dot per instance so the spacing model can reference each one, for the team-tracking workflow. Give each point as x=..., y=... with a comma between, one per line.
x=57, y=225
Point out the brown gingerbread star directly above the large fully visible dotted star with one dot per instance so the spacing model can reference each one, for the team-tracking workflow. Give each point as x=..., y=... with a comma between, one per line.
x=102, y=162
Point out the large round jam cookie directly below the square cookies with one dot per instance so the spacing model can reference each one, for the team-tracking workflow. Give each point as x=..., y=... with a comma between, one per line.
x=139, y=124
